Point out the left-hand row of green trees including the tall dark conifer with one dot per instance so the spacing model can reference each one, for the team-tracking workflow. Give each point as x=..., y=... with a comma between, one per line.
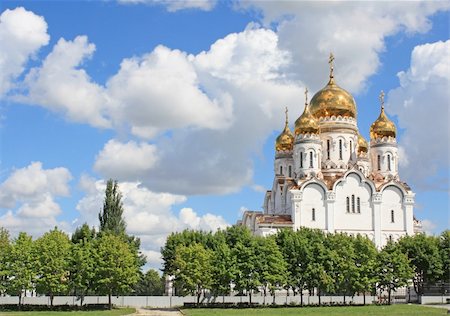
x=106, y=262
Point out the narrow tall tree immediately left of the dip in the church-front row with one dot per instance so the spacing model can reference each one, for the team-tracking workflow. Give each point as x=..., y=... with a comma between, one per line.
x=365, y=261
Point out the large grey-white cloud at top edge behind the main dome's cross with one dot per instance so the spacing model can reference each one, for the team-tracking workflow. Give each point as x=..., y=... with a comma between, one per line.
x=356, y=34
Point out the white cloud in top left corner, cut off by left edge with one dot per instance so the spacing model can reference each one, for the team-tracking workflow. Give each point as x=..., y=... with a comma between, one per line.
x=22, y=33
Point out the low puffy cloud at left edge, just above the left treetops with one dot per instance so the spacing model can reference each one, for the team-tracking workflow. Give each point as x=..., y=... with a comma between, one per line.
x=27, y=199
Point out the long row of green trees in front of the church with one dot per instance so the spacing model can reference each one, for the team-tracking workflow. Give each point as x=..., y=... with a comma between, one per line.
x=307, y=259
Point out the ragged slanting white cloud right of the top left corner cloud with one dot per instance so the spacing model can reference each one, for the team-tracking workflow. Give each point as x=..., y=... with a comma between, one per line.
x=62, y=86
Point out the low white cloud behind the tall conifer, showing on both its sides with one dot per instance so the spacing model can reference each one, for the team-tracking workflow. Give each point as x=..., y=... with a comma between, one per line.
x=148, y=215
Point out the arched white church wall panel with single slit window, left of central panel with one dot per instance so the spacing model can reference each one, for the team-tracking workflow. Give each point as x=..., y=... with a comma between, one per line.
x=313, y=198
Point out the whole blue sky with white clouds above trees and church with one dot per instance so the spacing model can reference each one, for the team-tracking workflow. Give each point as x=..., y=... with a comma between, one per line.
x=181, y=102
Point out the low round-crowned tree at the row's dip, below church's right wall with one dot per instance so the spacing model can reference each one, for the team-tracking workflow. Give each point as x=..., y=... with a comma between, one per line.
x=393, y=270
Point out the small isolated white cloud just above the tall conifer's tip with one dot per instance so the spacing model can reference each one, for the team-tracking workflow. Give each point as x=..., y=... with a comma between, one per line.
x=125, y=161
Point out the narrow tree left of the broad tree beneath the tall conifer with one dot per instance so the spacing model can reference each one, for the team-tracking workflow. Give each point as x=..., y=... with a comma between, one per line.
x=82, y=266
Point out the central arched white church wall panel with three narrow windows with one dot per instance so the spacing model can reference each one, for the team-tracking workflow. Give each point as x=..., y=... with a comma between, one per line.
x=352, y=220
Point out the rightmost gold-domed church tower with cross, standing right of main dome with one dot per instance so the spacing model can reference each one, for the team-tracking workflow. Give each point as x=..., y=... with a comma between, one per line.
x=383, y=146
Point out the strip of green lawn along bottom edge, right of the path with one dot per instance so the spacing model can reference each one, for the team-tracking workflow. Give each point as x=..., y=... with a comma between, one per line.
x=400, y=310
